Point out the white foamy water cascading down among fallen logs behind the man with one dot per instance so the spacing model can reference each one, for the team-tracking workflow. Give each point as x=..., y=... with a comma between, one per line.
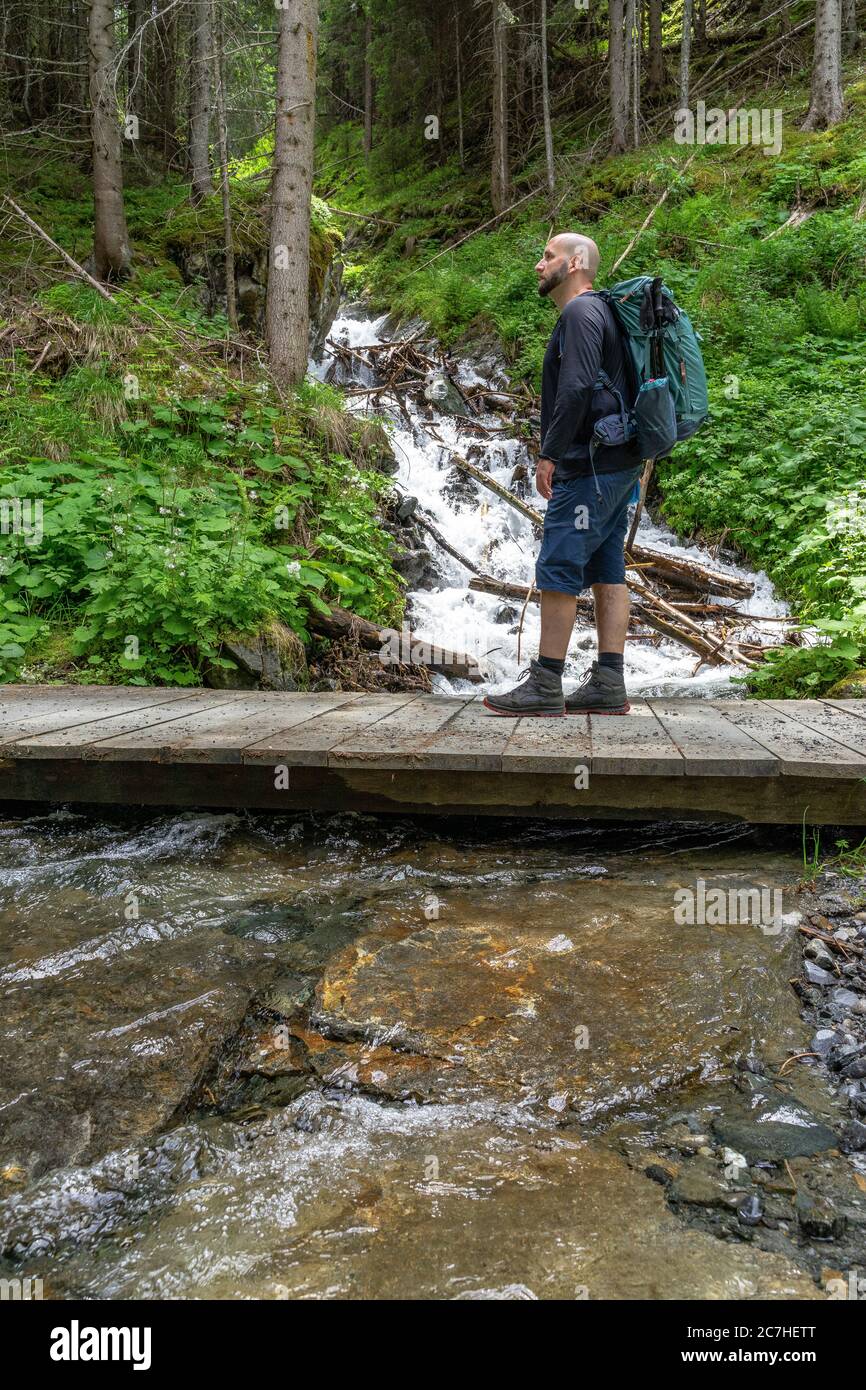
x=501, y=541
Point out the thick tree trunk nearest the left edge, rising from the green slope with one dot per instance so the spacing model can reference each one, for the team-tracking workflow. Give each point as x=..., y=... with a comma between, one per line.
x=112, y=254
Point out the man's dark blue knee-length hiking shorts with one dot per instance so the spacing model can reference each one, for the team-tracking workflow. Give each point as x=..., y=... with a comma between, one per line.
x=585, y=533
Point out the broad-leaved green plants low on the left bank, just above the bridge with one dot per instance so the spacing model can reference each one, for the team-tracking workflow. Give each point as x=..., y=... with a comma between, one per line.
x=190, y=521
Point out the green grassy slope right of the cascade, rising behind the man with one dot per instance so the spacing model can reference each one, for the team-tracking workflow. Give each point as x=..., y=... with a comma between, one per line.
x=782, y=316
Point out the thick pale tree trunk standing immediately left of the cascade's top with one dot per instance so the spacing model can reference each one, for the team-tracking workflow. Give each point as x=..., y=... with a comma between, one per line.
x=288, y=294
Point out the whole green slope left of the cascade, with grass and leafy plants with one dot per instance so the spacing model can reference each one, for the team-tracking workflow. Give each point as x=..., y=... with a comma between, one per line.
x=181, y=502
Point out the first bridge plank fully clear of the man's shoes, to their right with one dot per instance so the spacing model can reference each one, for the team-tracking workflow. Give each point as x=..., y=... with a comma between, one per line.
x=712, y=747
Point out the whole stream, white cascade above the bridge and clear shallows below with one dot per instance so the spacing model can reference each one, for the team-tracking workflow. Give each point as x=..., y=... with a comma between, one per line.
x=297, y=1057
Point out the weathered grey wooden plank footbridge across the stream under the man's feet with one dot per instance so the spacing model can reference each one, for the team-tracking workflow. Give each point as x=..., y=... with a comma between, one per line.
x=757, y=761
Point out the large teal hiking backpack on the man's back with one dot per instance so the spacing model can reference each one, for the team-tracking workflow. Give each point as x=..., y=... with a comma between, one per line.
x=671, y=383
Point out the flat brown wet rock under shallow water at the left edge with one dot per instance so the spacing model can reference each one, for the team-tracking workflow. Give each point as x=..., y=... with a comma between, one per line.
x=112, y=1058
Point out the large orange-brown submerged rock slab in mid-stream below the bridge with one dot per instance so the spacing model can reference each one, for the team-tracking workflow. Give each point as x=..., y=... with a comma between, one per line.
x=611, y=1020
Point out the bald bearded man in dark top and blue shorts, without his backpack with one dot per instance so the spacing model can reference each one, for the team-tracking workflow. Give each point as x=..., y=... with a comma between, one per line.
x=585, y=532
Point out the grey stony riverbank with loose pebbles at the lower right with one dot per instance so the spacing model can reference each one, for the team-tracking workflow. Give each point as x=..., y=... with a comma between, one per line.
x=793, y=1152
